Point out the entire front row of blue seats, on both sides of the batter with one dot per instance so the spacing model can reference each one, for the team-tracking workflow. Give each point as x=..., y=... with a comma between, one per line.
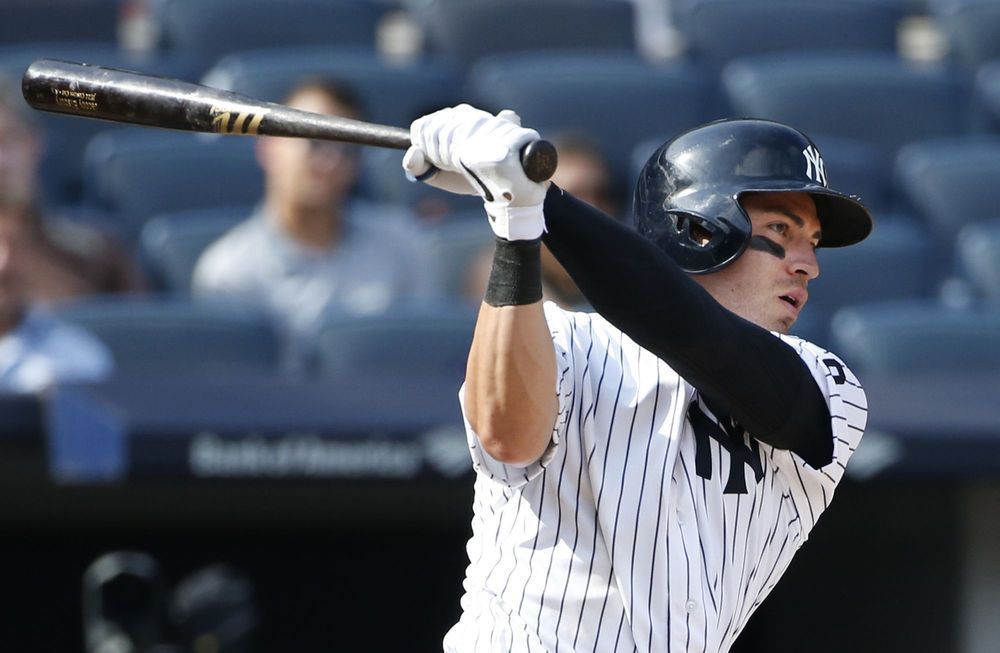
x=157, y=338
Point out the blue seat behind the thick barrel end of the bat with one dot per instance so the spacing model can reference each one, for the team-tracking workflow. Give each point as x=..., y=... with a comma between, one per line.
x=66, y=136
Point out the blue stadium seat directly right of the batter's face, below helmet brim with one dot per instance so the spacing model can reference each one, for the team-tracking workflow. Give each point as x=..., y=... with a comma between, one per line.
x=896, y=262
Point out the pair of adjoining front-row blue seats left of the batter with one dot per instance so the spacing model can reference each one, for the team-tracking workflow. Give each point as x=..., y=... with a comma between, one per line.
x=163, y=337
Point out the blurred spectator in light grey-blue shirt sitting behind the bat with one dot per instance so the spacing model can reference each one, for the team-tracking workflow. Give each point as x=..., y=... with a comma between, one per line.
x=310, y=247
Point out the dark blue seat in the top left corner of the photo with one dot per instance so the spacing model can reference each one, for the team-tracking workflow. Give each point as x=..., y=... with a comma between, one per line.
x=25, y=21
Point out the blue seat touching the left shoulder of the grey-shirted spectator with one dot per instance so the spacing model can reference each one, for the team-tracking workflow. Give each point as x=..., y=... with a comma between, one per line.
x=171, y=243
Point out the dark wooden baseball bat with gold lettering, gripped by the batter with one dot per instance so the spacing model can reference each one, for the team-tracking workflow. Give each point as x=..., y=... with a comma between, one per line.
x=139, y=99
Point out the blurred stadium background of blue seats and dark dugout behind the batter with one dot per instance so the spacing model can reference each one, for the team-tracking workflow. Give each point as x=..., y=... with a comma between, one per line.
x=341, y=492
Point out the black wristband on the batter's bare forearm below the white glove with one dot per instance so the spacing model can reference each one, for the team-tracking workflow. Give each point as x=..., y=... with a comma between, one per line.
x=516, y=276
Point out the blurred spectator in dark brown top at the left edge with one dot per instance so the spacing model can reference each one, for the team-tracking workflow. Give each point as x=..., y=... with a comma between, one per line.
x=57, y=259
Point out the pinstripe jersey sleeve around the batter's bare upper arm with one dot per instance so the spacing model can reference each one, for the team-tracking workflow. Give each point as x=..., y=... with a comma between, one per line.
x=561, y=328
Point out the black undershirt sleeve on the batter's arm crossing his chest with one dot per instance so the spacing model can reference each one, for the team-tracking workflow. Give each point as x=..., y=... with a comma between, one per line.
x=755, y=377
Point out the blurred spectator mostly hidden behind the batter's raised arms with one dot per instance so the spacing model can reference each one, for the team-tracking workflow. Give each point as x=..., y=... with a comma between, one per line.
x=583, y=172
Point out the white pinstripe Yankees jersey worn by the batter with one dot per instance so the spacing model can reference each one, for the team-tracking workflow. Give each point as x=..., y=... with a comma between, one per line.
x=637, y=531
